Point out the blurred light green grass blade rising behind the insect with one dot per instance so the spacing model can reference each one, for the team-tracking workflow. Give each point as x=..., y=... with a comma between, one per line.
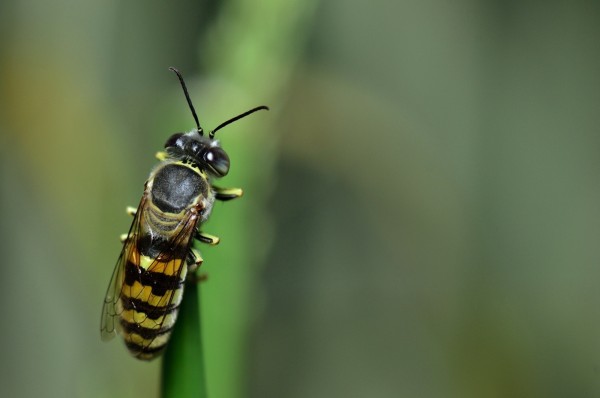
x=255, y=50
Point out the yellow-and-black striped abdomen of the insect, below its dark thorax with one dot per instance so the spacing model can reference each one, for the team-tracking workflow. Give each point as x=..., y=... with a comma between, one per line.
x=154, y=278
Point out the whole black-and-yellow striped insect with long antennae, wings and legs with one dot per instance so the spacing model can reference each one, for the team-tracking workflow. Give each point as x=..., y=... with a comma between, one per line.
x=145, y=291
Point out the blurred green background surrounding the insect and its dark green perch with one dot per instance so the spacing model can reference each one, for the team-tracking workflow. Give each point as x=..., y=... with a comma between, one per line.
x=421, y=214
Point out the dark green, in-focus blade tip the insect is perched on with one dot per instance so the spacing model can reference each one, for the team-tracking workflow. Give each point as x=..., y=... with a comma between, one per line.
x=183, y=362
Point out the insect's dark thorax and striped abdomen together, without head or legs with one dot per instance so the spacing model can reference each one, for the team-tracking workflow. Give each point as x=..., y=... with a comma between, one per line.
x=156, y=269
